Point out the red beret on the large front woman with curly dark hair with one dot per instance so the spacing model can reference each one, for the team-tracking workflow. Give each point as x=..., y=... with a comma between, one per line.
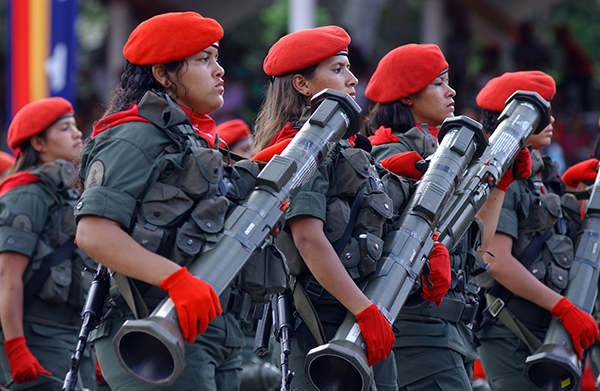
x=171, y=37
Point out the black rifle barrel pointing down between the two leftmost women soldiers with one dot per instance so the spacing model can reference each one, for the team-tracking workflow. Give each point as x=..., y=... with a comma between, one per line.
x=90, y=316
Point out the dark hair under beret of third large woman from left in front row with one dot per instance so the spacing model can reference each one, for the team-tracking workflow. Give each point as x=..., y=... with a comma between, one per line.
x=395, y=115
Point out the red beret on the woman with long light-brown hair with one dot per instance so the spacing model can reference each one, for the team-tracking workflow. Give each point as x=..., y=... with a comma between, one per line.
x=304, y=48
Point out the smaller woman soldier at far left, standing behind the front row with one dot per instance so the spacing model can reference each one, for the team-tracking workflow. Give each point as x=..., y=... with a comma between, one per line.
x=41, y=284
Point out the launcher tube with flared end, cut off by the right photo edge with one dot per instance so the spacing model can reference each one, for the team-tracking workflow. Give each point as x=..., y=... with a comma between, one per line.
x=554, y=366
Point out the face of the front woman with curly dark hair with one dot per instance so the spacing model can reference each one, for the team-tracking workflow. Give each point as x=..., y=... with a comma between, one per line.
x=200, y=85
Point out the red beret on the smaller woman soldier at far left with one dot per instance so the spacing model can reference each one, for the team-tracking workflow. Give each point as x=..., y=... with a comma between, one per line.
x=34, y=117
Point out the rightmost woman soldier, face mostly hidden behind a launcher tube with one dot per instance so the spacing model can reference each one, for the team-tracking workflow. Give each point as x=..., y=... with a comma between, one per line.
x=537, y=222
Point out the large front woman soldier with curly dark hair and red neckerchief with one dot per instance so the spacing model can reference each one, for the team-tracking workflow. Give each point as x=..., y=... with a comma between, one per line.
x=153, y=192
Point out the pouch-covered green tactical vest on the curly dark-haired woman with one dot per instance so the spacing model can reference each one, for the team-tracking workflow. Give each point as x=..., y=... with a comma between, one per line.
x=185, y=208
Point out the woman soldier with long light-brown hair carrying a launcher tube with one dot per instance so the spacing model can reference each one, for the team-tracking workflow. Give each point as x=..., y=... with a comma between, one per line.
x=327, y=265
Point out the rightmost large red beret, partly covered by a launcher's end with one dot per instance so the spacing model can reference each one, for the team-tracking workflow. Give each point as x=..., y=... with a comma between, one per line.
x=495, y=93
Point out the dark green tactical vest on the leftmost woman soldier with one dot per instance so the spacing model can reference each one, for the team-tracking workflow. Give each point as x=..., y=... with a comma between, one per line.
x=59, y=300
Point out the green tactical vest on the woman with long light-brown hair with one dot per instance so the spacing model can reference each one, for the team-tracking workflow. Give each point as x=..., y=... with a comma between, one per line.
x=357, y=211
